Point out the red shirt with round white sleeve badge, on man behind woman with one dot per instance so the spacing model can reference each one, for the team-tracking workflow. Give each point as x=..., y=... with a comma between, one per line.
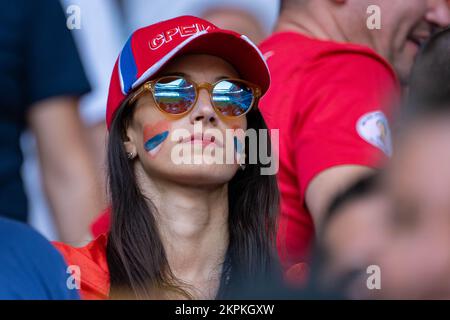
x=331, y=102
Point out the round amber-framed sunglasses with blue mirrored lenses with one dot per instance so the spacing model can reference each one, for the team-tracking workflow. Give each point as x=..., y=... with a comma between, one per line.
x=177, y=95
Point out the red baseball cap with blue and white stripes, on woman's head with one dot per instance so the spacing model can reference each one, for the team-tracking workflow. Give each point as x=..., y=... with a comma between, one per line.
x=150, y=48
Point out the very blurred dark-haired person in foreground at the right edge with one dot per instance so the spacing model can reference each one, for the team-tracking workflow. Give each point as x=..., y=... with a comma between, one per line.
x=416, y=263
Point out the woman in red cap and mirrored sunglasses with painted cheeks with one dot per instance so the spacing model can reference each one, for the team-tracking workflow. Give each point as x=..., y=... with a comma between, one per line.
x=182, y=229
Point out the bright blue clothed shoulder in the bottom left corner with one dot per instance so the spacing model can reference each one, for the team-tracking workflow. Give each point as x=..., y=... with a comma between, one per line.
x=30, y=268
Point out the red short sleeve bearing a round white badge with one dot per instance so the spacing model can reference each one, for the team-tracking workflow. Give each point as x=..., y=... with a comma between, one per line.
x=348, y=98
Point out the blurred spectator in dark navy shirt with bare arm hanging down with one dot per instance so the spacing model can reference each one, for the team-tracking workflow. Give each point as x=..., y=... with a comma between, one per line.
x=42, y=83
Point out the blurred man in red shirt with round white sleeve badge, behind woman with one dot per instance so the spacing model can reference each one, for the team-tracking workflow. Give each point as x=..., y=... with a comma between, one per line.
x=335, y=80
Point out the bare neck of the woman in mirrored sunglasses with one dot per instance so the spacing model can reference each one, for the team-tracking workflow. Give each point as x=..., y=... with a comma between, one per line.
x=193, y=226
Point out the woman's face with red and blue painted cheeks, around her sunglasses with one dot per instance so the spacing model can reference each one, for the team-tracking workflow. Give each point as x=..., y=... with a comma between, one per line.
x=193, y=148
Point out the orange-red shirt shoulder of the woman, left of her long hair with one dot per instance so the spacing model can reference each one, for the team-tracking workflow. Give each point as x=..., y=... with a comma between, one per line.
x=90, y=265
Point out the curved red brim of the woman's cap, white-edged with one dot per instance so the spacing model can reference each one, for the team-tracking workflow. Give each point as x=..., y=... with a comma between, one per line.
x=236, y=50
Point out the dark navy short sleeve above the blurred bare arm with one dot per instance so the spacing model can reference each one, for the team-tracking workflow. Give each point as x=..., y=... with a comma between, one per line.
x=52, y=67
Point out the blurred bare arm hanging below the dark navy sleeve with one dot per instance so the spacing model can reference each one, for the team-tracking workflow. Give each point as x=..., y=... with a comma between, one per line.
x=68, y=173
